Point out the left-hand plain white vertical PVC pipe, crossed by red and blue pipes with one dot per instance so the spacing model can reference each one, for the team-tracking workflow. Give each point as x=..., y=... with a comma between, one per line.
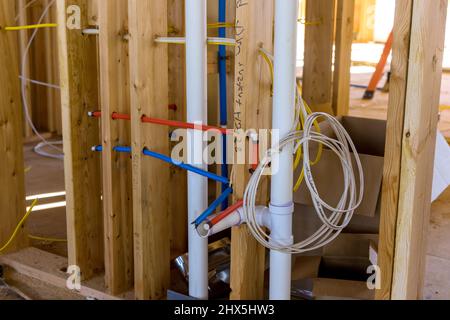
x=196, y=92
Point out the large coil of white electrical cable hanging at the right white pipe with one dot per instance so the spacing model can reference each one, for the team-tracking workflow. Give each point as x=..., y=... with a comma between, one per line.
x=338, y=217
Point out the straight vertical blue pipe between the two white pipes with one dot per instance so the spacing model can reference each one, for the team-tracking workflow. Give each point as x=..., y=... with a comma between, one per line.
x=223, y=93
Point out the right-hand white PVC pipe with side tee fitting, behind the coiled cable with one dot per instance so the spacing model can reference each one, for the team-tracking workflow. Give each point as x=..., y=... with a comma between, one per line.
x=286, y=13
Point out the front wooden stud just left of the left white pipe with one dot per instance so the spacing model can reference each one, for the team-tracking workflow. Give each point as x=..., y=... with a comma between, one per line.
x=151, y=188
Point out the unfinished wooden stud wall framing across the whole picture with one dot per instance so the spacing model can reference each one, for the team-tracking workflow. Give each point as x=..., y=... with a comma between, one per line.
x=127, y=212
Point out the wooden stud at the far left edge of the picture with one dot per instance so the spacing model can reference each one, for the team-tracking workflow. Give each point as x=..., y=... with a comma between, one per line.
x=12, y=193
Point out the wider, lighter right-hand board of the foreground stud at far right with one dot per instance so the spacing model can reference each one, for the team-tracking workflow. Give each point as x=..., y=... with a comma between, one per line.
x=418, y=147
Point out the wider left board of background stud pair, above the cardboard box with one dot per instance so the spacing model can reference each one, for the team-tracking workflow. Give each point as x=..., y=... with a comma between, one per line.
x=317, y=71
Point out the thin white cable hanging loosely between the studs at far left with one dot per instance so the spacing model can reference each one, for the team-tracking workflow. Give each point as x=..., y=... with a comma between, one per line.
x=24, y=80
